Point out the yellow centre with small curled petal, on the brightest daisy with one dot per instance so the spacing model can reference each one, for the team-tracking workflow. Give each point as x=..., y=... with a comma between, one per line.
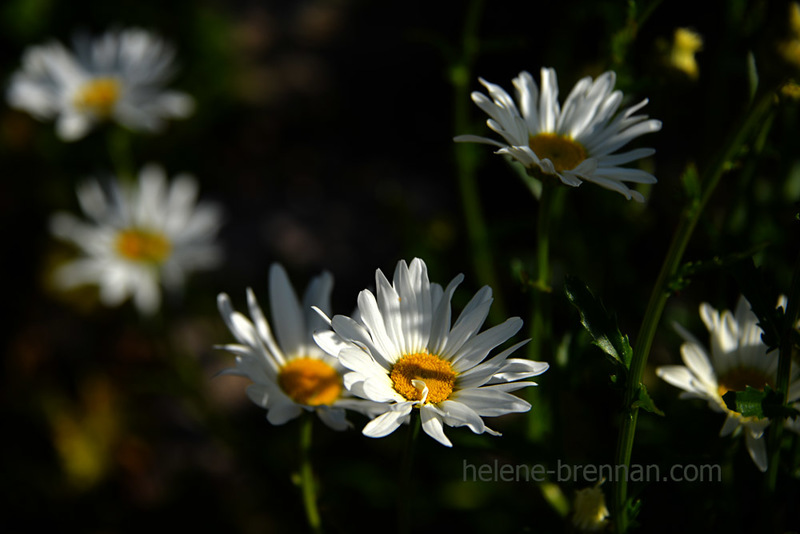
x=437, y=374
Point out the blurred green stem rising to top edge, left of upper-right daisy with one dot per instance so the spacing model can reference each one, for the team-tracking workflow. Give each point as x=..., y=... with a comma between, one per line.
x=477, y=232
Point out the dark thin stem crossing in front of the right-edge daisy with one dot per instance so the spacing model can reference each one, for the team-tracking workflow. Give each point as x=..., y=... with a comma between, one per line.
x=791, y=315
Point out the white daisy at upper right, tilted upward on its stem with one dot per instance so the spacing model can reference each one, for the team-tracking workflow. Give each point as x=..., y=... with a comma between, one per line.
x=576, y=143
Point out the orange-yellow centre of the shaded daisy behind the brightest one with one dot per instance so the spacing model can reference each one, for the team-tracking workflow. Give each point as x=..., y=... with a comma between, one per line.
x=310, y=382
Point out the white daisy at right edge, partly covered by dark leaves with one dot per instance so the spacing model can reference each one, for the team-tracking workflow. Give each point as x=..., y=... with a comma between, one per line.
x=738, y=359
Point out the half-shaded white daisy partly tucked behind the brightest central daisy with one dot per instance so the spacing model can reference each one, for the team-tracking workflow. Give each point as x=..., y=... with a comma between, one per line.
x=290, y=374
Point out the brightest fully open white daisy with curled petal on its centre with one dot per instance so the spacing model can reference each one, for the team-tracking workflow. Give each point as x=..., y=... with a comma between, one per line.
x=403, y=352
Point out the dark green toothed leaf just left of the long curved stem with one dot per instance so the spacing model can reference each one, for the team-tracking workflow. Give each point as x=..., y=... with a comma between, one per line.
x=599, y=323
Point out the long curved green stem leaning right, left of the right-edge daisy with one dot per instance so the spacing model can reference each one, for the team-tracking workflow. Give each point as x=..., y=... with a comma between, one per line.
x=756, y=114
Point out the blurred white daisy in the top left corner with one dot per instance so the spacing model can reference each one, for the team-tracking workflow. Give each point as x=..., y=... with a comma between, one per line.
x=118, y=76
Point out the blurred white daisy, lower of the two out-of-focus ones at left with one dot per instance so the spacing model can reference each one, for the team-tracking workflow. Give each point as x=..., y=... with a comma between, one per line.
x=138, y=237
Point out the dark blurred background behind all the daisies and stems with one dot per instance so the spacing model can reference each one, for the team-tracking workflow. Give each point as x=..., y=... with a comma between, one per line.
x=325, y=129
